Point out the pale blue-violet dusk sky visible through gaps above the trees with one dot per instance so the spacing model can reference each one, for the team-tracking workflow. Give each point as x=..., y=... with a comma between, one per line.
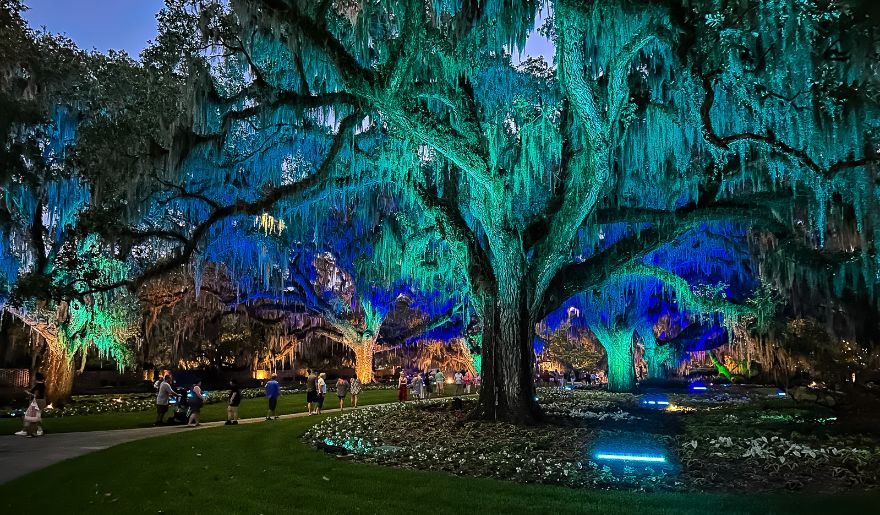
x=129, y=24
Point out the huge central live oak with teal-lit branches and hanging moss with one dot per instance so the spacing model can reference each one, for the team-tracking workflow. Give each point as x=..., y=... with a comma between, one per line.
x=658, y=118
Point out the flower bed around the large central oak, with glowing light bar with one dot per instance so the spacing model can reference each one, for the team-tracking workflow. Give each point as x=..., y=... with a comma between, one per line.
x=735, y=441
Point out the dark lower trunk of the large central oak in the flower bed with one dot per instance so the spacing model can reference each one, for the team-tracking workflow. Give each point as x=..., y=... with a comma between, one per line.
x=508, y=392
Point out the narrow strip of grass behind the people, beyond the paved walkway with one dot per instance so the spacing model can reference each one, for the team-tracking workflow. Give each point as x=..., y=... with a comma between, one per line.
x=250, y=408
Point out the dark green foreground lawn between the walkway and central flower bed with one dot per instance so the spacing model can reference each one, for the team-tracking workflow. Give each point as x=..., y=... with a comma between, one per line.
x=264, y=468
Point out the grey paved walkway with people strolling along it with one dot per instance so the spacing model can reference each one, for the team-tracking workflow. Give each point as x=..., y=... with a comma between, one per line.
x=20, y=455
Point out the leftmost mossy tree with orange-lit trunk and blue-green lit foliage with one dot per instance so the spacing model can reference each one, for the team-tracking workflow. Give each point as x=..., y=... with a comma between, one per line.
x=49, y=90
